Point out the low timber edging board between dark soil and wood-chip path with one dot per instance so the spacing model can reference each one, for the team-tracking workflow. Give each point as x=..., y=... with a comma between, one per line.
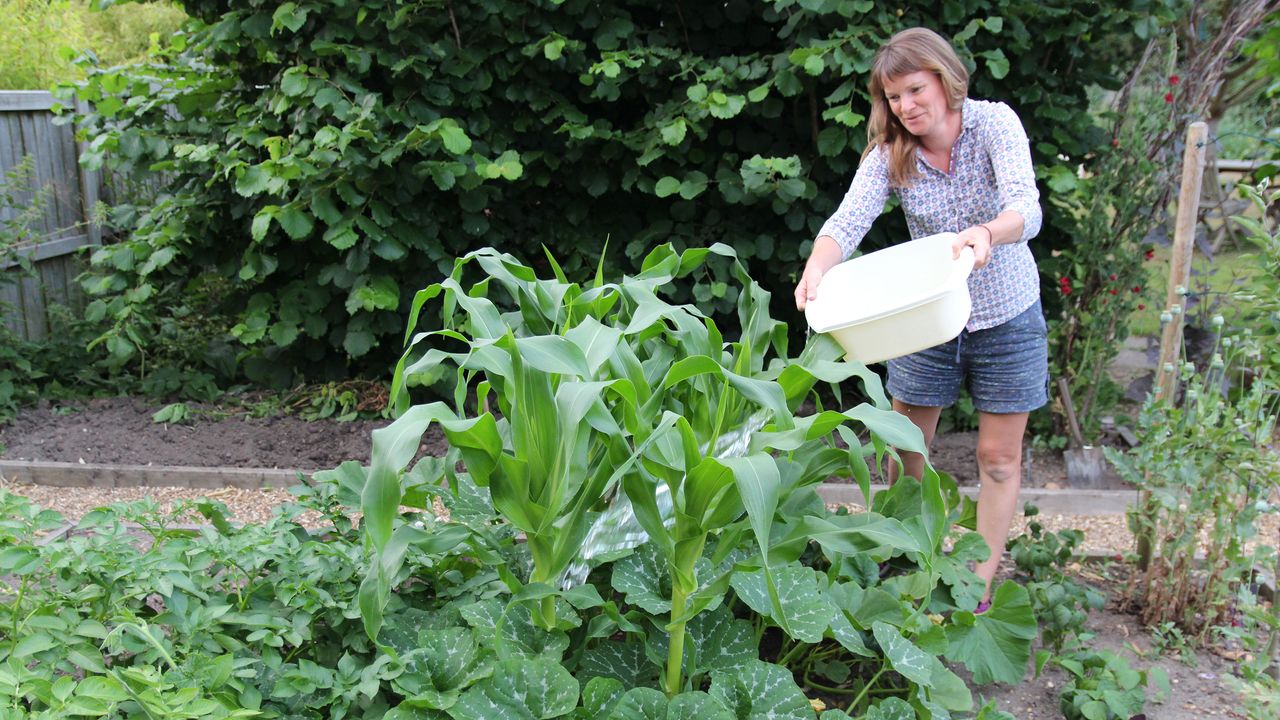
x=75, y=475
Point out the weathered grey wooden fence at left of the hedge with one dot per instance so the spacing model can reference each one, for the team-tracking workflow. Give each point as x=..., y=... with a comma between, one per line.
x=57, y=208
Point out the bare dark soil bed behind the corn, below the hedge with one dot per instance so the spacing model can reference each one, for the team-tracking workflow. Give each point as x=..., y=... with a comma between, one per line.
x=121, y=431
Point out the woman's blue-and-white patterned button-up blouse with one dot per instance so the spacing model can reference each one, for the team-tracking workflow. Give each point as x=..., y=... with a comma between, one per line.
x=991, y=172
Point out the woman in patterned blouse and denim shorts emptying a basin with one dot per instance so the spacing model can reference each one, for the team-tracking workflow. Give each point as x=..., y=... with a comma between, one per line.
x=956, y=166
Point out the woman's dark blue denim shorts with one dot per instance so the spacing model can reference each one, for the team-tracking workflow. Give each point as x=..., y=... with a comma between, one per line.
x=1005, y=368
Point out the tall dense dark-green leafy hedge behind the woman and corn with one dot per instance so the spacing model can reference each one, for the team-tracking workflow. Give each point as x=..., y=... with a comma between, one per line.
x=328, y=158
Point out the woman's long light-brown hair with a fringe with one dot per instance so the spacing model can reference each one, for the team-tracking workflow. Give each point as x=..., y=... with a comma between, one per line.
x=909, y=52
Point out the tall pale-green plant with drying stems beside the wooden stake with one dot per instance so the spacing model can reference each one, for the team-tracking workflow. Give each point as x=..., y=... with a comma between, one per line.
x=1185, y=443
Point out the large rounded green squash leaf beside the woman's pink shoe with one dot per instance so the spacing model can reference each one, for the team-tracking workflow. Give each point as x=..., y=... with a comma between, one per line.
x=996, y=645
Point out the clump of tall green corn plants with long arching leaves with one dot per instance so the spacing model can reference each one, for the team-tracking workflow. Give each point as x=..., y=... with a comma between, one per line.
x=570, y=397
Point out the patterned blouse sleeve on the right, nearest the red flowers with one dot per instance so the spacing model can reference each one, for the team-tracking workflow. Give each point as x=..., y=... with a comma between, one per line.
x=1011, y=156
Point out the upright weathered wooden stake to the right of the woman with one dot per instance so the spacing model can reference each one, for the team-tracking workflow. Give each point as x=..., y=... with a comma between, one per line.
x=1180, y=277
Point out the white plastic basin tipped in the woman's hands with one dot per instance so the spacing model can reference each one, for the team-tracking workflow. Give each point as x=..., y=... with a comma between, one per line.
x=895, y=302
